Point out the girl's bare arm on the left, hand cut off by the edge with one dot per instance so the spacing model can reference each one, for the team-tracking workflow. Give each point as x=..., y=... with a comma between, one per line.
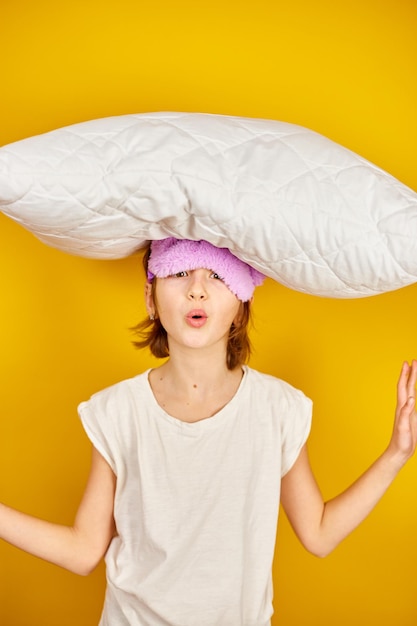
x=79, y=547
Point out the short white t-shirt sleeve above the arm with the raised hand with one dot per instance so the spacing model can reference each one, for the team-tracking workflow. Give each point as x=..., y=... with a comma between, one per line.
x=295, y=428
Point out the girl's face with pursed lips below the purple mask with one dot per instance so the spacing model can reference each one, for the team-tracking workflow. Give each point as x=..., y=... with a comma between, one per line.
x=195, y=307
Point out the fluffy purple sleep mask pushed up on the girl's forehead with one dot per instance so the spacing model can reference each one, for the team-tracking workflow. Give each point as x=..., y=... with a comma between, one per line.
x=170, y=256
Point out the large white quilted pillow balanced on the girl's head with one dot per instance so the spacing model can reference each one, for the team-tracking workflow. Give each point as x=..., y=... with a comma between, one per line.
x=295, y=205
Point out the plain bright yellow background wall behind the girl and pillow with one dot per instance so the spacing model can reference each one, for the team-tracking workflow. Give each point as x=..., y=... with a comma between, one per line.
x=345, y=69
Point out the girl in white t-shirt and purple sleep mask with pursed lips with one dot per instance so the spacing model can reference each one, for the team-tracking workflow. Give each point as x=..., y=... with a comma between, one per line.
x=191, y=459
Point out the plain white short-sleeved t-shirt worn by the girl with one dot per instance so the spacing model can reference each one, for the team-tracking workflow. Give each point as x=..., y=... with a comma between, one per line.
x=196, y=504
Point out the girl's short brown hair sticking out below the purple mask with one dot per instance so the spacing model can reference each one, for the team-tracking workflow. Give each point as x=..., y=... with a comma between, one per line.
x=152, y=334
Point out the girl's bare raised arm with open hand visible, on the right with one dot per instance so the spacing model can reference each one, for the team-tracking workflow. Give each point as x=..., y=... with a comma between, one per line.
x=320, y=525
